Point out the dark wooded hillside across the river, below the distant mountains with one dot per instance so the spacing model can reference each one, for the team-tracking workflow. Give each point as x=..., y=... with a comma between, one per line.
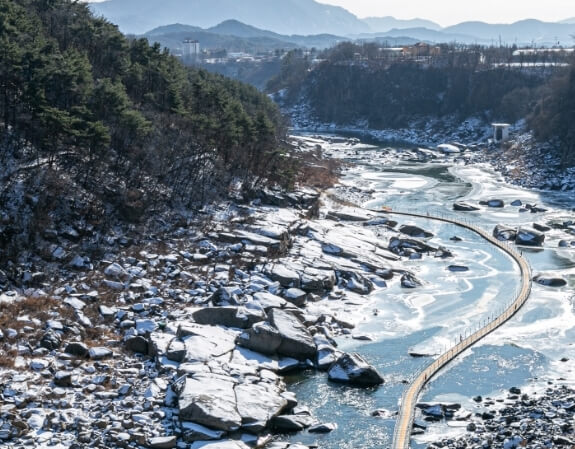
x=370, y=86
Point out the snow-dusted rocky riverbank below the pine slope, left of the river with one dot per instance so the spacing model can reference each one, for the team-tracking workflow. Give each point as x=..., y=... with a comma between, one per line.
x=181, y=340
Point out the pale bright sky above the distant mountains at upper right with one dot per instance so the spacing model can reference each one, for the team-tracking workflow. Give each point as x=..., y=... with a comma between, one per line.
x=449, y=12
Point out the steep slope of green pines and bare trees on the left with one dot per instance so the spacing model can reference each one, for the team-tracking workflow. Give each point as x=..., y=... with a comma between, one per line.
x=101, y=126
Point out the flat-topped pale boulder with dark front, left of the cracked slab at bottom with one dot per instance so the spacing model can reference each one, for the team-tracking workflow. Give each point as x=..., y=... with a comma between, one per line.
x=210, y=401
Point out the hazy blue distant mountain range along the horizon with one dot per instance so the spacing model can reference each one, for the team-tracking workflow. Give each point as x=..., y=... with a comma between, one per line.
x=291, y=21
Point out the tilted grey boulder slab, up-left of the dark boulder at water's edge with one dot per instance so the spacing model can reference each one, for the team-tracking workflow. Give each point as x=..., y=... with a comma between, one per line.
x=296, y=341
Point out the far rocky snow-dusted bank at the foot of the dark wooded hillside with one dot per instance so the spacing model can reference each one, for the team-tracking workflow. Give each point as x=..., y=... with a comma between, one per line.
x=522, y=160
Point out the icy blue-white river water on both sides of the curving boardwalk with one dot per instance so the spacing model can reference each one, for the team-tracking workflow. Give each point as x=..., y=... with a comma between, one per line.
x=526, y=352
